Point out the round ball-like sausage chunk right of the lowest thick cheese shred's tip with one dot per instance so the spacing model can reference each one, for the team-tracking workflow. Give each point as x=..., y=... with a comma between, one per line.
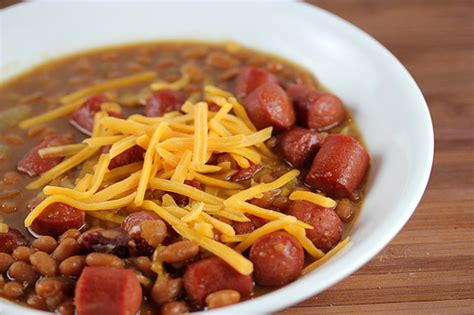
x=277, y=258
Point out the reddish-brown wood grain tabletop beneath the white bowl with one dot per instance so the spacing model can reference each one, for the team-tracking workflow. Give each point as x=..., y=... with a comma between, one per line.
x=429, y=267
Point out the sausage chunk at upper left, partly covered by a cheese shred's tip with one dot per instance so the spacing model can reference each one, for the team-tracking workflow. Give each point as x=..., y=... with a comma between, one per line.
x=33, y=164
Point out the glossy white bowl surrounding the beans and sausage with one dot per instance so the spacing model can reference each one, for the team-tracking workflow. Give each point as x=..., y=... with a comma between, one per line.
x=385, y=100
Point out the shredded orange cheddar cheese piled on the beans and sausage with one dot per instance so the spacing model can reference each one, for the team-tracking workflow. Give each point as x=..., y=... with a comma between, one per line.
x=177, y=147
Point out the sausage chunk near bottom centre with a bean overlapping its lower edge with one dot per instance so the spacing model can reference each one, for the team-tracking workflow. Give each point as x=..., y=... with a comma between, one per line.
x=213, y=274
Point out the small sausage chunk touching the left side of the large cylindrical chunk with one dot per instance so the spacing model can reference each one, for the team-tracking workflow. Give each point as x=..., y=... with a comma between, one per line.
x=298, y=146
